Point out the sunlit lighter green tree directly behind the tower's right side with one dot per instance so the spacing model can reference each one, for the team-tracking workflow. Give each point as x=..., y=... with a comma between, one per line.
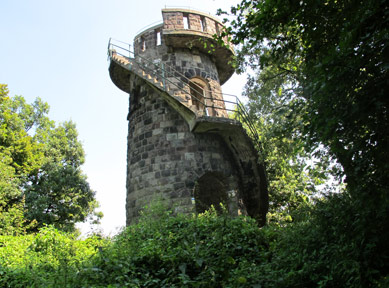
x=297, y=174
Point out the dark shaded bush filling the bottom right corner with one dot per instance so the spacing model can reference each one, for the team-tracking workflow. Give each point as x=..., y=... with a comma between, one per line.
x=335, y=246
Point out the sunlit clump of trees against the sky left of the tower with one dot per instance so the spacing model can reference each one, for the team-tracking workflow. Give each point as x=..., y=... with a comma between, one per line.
x=41, y=181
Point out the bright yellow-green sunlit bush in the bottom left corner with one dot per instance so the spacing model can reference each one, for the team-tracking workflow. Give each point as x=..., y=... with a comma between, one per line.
x=48, y=259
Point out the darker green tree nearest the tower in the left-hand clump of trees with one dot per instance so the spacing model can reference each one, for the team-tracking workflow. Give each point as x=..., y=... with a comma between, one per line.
x=59, y=193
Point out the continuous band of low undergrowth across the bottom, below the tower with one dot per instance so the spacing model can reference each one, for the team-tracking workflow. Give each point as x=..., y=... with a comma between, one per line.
x=206, y=250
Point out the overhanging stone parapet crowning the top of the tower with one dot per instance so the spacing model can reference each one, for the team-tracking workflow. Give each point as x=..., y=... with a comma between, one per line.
x=188, y=30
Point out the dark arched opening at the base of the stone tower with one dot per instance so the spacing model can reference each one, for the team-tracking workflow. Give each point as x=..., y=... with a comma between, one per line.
x=210, y=189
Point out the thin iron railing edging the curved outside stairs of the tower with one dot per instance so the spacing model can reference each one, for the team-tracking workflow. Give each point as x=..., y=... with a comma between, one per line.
x=169, y=76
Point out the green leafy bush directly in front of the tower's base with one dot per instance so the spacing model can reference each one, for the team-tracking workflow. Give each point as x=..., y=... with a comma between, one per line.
x=181, y=251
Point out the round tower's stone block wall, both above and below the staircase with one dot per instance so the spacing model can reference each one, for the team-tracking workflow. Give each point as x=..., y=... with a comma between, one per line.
x=164, y=158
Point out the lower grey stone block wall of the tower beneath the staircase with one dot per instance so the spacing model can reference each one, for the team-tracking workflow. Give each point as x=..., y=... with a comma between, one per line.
x=165, y=159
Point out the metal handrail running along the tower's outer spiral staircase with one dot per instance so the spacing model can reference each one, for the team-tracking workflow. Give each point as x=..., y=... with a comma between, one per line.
x=166, y=72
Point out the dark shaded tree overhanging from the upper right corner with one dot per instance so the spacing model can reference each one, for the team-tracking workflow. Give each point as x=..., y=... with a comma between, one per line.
x=330, y=56
